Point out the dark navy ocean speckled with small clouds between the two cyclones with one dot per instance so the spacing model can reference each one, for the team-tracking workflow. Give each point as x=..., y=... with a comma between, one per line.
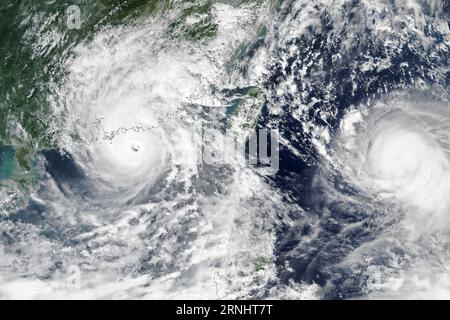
x=315, y=257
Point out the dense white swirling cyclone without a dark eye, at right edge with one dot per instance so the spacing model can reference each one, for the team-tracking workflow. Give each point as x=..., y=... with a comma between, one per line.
x=399, y=152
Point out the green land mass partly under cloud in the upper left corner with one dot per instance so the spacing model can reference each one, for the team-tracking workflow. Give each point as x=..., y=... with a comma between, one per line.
x=32, y=58
